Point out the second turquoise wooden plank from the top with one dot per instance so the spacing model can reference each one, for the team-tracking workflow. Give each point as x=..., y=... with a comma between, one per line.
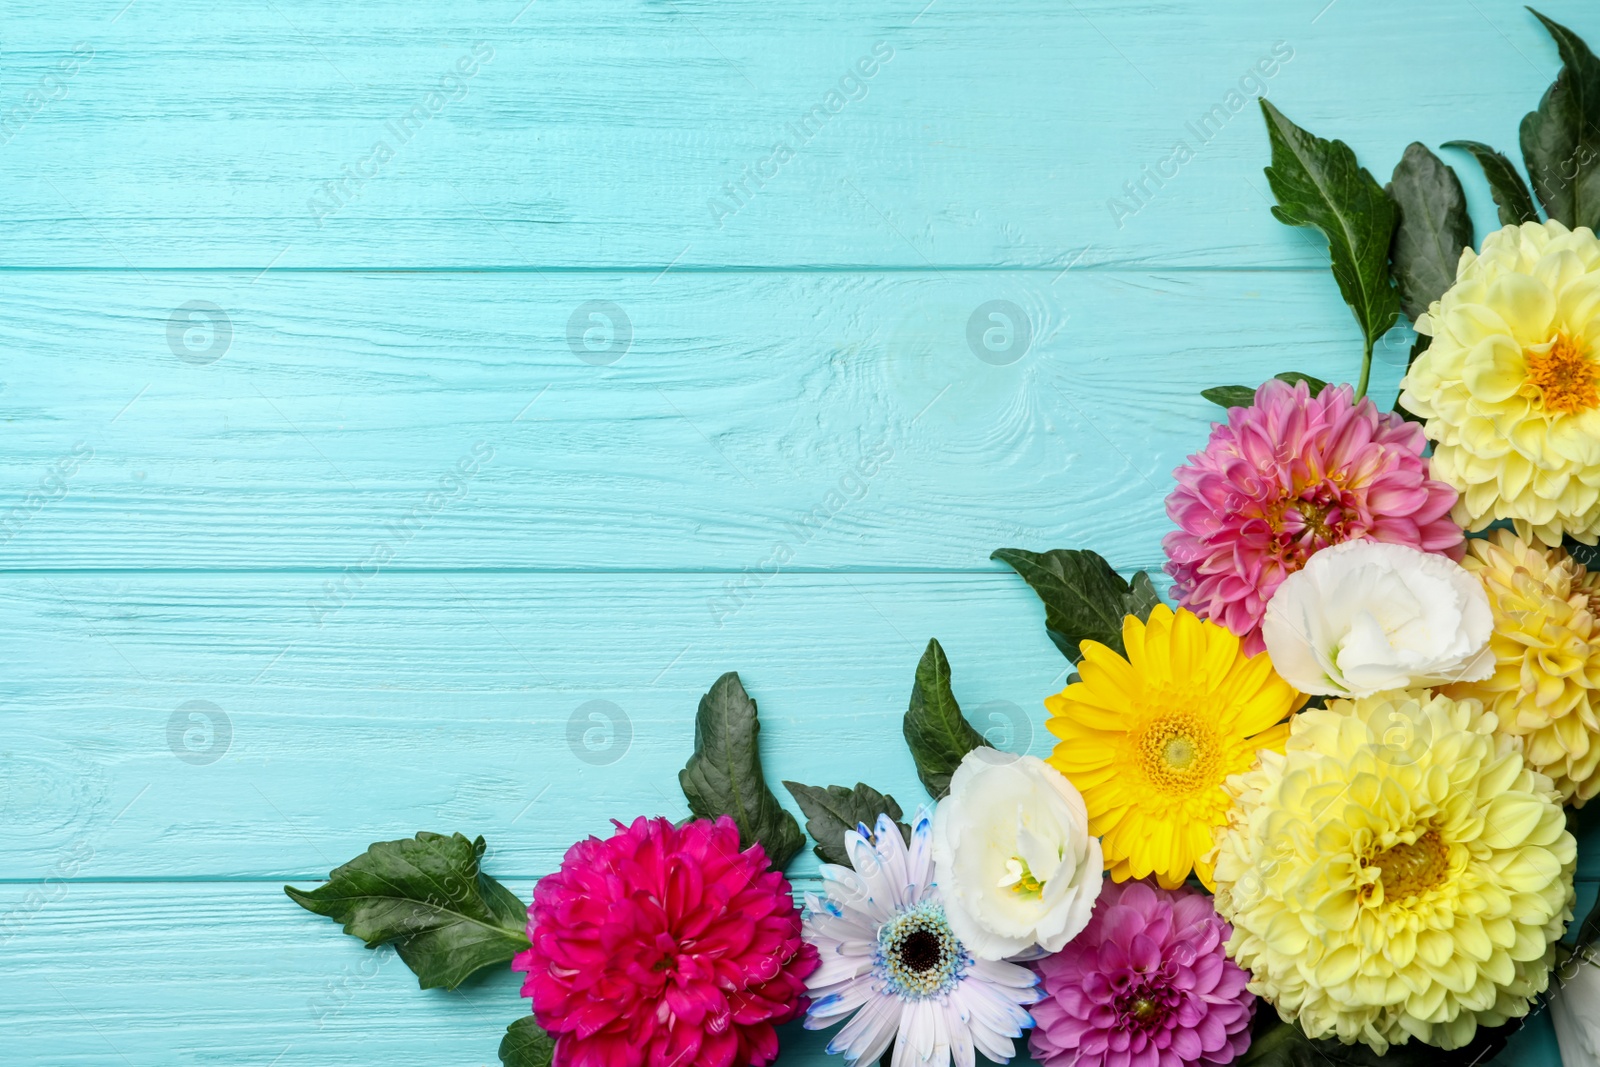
x=764, y=422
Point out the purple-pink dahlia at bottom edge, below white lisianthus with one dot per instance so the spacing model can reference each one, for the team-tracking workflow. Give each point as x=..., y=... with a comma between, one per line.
x=1146, y=985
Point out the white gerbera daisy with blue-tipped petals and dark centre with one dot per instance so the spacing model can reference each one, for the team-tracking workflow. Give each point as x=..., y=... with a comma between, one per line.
x=894, y=965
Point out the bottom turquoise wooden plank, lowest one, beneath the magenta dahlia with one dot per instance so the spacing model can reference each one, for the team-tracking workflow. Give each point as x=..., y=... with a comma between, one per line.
x=190, y=975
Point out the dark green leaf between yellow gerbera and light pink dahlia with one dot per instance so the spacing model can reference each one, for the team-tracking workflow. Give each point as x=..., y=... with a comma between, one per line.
x=1084, y=597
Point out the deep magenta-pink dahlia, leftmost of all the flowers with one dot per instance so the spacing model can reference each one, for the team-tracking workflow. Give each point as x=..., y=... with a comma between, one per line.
x=665, y=948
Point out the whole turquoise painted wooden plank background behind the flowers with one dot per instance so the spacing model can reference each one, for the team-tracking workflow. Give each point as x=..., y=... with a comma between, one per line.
x=330, y=511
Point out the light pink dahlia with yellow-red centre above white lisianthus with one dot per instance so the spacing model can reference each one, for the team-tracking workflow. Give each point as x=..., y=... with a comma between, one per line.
x=1287, y=478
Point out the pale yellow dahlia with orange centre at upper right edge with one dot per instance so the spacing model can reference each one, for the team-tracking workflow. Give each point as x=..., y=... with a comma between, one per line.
x=1511, y=383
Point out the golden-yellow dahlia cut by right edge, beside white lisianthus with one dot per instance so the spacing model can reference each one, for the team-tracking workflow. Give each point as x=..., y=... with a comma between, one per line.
x=1546, y=647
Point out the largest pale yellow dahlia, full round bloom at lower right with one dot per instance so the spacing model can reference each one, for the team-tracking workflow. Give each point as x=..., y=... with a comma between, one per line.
x=1398, y=873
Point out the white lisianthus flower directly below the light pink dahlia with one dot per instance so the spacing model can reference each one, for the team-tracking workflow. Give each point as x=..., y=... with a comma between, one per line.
x=1367, y=617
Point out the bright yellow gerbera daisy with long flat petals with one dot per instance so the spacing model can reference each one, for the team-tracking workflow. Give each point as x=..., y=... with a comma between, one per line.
x=1150, y=740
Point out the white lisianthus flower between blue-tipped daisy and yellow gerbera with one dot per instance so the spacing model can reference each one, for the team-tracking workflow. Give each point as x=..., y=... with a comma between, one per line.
x=1014, y=857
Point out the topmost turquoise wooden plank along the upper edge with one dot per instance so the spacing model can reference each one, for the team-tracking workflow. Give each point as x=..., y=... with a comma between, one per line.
x=186, y=135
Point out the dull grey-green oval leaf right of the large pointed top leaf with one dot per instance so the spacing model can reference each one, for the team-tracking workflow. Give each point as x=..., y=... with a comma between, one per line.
x=1434, y=228
